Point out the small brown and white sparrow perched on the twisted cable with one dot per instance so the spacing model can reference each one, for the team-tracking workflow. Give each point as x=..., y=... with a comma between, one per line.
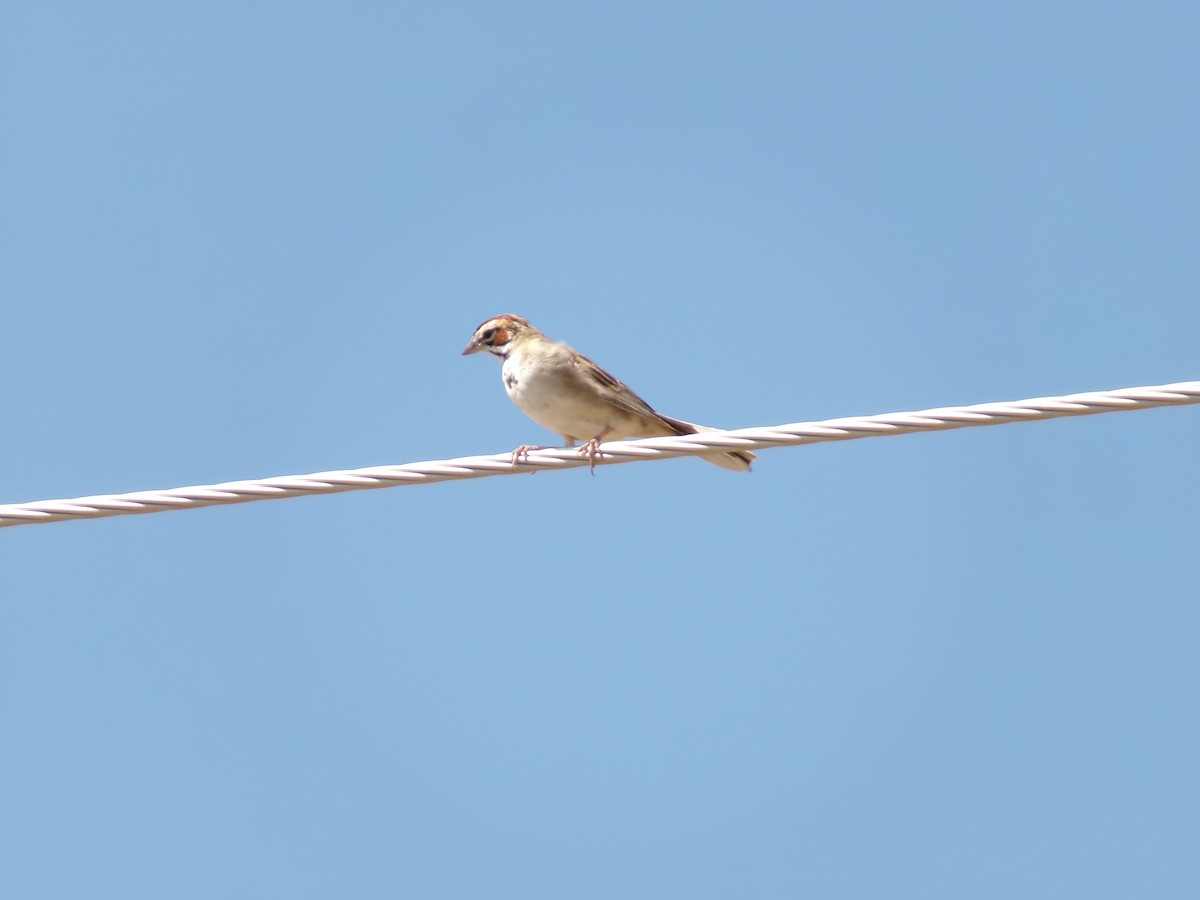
x=565, y=392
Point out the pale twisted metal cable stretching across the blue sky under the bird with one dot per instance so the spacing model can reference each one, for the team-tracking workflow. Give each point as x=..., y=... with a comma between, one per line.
x=416, y=473
